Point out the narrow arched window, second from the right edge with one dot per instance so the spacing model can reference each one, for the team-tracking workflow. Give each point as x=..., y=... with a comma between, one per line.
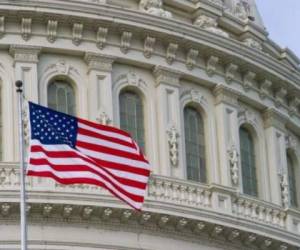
x=249, y=177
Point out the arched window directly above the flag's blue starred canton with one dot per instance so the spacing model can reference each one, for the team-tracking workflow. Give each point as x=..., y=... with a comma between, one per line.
x=61, y=97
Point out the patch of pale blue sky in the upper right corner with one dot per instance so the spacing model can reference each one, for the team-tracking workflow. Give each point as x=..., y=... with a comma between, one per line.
x=282, y=20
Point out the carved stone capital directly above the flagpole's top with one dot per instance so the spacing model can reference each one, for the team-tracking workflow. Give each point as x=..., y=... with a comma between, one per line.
x=27, y=54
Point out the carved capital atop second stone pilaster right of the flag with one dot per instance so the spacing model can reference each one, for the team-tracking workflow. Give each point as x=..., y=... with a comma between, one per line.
x=225, y=95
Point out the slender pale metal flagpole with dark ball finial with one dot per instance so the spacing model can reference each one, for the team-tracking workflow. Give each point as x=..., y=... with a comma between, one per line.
x=19, y=85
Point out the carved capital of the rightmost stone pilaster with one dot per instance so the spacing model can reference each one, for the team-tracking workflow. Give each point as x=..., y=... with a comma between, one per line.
x=273, y=118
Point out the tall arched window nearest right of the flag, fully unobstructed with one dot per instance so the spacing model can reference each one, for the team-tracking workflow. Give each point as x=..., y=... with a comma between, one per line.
x=194, y=145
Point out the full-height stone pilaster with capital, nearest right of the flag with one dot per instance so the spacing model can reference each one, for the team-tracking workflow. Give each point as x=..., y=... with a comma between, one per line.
x=168, y=119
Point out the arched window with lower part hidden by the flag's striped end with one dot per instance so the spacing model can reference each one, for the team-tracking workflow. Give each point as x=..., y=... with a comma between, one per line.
x=132, y=116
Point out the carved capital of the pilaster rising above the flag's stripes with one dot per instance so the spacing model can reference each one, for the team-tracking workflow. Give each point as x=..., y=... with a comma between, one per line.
x=99, y=62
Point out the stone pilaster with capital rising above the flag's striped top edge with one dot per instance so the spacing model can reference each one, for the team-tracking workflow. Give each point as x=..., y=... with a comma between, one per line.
x=100, y=101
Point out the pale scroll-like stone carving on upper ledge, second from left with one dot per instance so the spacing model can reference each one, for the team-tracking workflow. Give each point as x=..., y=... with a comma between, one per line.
x=209, y=24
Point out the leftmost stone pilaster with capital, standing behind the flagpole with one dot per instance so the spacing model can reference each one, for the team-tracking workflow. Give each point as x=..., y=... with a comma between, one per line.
x=25, y=68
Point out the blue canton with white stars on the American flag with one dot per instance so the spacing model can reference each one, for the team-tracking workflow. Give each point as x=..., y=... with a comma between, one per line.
x=52, y=127
